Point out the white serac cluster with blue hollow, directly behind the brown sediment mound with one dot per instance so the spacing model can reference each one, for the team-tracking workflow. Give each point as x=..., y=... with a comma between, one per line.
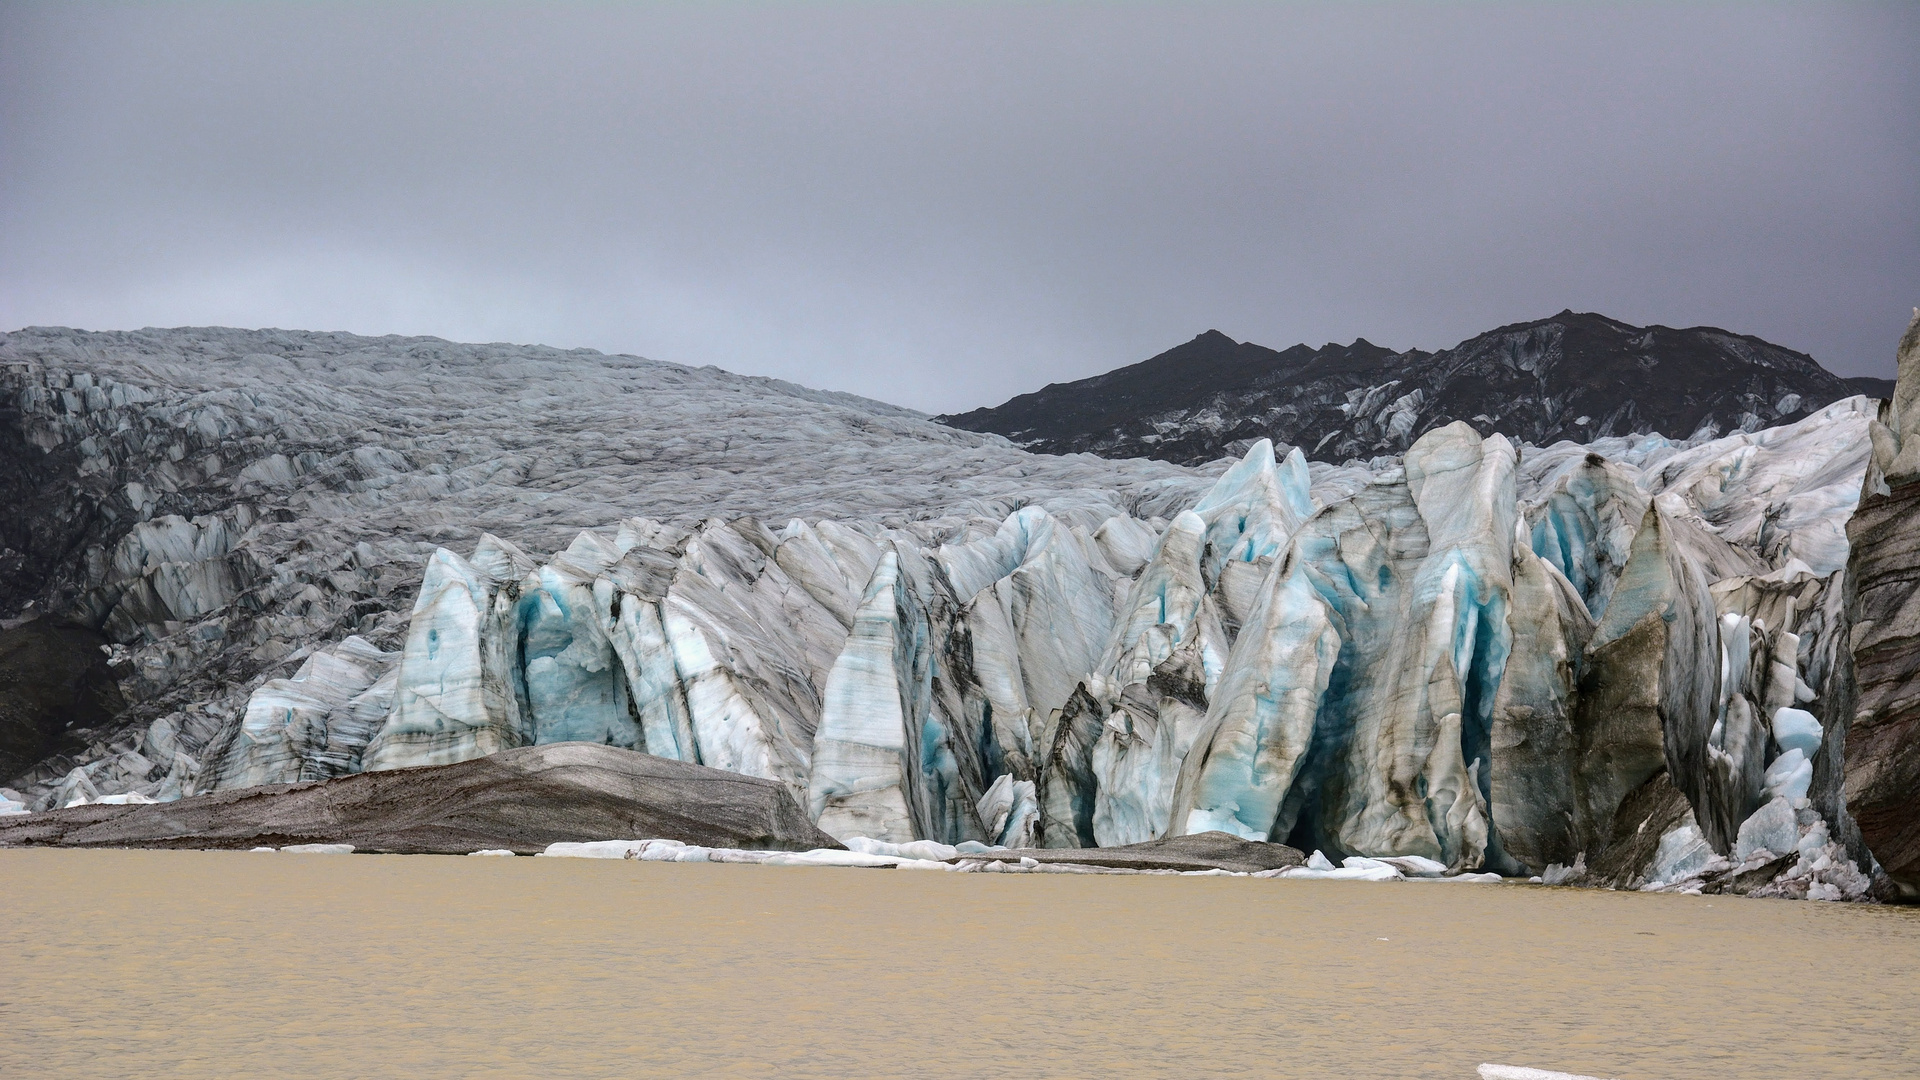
x=690, y=645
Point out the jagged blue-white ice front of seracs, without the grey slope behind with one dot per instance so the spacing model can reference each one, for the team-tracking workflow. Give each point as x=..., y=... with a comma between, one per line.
x=1385, y=674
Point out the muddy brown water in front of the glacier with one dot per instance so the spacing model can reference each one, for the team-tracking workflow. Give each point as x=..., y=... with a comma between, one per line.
x=216, y=964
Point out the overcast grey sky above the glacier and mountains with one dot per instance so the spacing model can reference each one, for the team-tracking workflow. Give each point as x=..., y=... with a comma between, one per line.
x=946, y=205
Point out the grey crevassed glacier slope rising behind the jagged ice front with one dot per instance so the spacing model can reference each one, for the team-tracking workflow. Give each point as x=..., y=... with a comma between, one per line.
x=220, y=504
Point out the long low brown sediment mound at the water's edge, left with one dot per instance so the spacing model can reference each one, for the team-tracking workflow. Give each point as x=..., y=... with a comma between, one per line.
x=517, y=800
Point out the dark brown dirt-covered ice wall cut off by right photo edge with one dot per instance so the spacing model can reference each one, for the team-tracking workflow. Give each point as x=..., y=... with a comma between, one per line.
x=1883, y=749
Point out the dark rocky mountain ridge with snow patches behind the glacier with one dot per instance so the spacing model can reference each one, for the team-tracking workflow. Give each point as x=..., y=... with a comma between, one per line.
x=1570, y=378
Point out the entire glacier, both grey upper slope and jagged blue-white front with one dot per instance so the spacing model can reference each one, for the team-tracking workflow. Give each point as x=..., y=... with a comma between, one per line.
x=1483, y=654
